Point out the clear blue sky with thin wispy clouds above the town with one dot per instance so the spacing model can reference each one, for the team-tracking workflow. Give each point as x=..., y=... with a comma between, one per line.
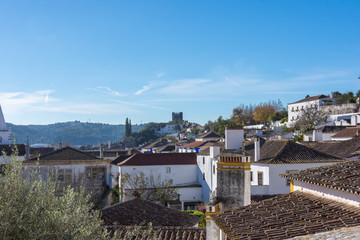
x=104, y=61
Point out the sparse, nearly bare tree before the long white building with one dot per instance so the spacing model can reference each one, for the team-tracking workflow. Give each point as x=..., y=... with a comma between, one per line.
x=147, y=187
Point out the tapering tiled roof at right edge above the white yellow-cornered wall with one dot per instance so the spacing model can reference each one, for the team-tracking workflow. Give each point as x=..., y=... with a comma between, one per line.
x=343, y=176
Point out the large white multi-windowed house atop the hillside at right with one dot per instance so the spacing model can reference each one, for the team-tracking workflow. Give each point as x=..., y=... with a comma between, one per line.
x=295, y=109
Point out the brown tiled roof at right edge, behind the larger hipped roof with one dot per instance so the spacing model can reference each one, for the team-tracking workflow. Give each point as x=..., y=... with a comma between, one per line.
x=341, y=149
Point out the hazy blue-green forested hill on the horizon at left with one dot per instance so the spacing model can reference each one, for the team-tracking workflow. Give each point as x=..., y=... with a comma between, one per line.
x=76, y=133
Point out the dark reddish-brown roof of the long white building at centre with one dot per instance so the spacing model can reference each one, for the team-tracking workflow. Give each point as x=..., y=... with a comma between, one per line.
x=159, y=159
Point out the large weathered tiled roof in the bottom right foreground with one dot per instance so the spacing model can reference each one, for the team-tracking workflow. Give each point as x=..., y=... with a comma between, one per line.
x=287, y=216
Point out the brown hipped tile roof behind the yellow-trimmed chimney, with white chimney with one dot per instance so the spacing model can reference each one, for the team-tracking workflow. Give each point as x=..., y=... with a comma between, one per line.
x=285, y=151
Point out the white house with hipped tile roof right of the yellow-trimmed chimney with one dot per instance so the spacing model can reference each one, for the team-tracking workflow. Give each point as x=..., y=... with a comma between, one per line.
x=273, y=157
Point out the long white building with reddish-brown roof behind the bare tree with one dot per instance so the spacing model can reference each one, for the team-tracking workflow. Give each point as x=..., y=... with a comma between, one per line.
x=181, y=168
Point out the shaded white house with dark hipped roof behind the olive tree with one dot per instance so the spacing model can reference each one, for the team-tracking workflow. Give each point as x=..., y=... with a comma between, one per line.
x=76, y=168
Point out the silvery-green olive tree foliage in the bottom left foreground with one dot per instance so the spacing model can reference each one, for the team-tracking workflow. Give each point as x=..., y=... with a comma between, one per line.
x=30, y=208
